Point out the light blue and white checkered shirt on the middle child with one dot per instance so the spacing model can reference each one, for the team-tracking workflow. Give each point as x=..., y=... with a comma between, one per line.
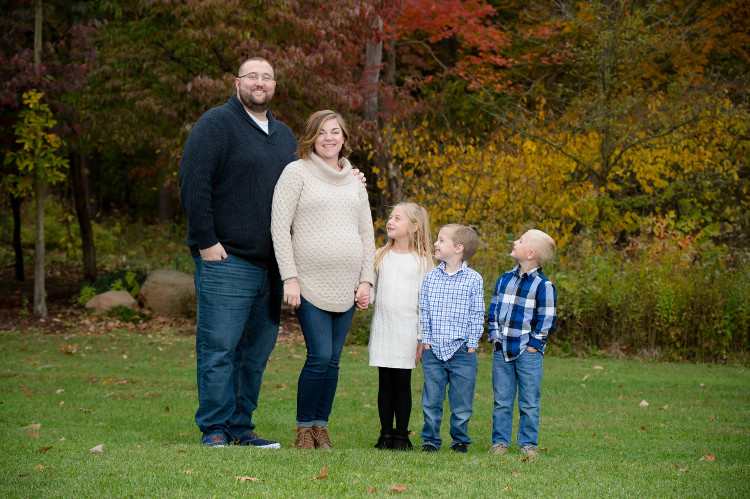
x=452, y=308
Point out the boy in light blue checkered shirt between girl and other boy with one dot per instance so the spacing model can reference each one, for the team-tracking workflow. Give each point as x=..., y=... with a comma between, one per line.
x=451, y=304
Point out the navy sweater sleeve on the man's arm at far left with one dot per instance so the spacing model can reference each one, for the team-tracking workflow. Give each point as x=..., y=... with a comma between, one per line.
x=202, y=157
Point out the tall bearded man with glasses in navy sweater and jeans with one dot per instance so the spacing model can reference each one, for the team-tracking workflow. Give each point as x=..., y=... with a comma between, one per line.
x=232, y=159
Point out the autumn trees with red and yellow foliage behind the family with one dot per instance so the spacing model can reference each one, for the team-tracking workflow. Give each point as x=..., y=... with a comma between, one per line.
x=620, y=127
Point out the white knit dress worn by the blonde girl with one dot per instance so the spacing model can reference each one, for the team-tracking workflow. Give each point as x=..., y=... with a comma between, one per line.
x=395, y=323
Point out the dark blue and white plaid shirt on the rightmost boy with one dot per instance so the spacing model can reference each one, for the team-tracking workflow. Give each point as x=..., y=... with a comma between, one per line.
x=522, y=311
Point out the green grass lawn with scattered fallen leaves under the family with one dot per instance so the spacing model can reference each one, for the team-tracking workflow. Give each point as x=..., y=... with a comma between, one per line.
x=136, y=395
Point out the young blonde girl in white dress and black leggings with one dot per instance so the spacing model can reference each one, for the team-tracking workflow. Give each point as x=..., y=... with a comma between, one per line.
x=395, y=337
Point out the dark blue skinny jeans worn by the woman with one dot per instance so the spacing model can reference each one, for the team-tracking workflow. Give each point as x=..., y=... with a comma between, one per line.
x=325, y=333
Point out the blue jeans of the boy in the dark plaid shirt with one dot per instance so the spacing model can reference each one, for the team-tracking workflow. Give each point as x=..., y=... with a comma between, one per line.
x=524, y=374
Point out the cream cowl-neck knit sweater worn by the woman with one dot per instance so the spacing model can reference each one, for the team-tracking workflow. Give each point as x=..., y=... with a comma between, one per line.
x=322, y=232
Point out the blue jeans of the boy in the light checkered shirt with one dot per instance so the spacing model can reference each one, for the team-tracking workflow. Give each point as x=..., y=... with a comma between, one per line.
x=459, y=375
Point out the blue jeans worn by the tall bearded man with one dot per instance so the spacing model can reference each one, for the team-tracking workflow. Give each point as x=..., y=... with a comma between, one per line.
x=239, y=310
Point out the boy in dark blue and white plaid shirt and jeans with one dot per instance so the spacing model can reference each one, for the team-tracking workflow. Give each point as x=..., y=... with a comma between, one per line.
x=522, y=314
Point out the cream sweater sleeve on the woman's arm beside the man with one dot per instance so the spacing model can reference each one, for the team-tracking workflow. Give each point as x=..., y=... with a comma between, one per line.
x=285, y=198
